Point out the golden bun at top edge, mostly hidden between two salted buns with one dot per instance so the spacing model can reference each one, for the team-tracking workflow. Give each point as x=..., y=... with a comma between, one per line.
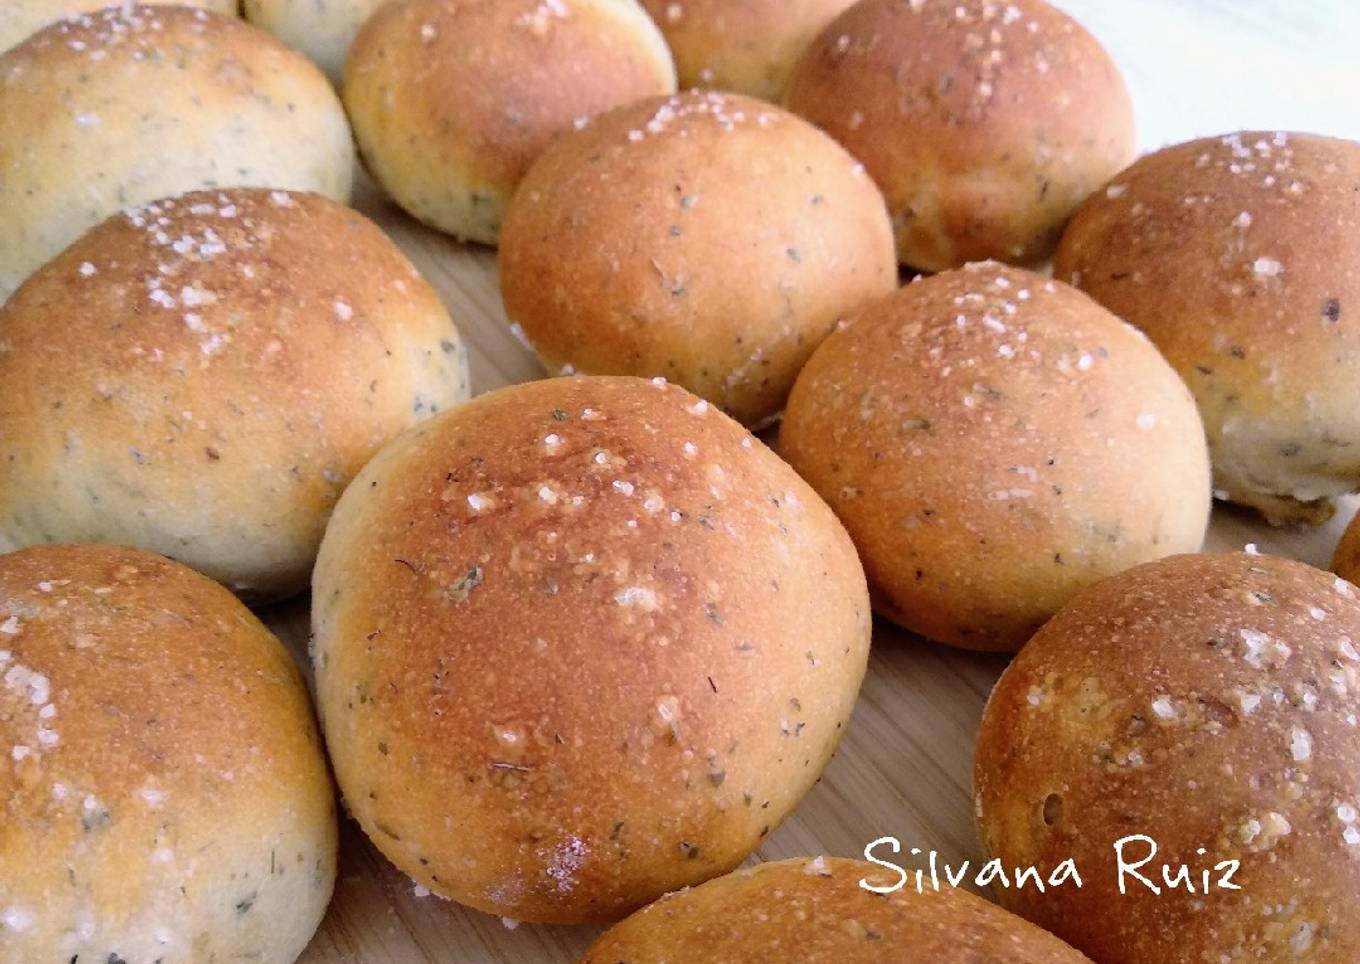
x=747, y=47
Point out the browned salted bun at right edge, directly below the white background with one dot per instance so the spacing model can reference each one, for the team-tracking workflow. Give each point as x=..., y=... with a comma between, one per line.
x=1240, y=256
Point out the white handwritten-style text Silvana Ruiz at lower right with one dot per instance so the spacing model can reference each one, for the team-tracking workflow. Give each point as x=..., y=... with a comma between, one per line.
x=1134, y=857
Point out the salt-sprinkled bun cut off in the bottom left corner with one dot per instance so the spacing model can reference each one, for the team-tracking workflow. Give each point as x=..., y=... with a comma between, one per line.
x=165, y=795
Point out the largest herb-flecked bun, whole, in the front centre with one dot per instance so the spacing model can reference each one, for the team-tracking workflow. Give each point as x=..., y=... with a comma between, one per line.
x=579, y=644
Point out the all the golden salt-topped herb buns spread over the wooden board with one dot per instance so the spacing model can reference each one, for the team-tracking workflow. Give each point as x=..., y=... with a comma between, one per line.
x=585, y=642
